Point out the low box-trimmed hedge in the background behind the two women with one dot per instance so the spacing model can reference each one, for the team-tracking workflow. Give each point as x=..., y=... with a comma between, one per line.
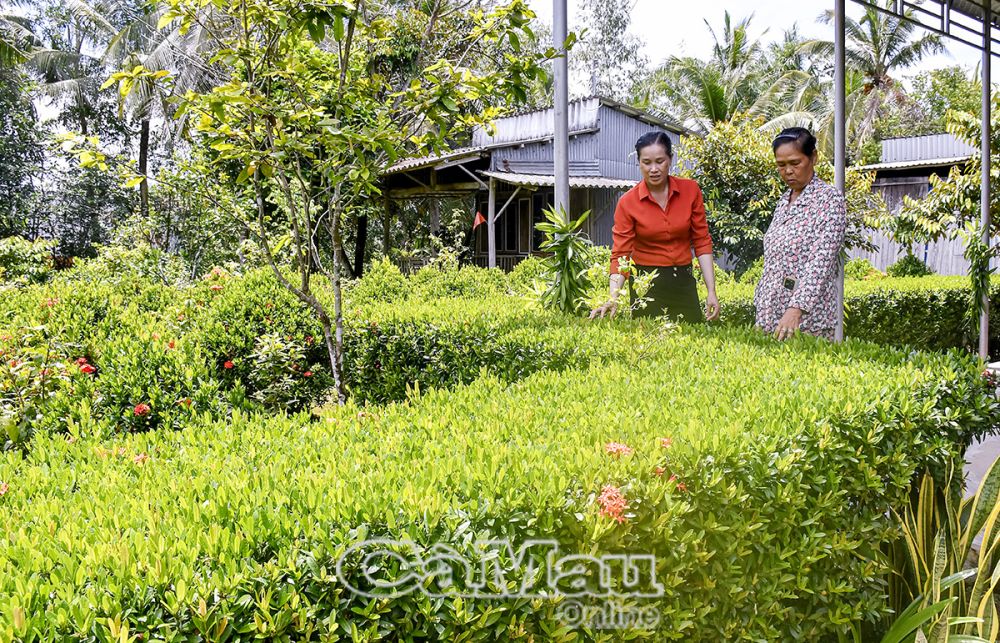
x=929, y=313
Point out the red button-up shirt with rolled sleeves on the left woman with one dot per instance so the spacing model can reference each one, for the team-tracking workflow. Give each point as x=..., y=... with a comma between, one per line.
x=654, y=236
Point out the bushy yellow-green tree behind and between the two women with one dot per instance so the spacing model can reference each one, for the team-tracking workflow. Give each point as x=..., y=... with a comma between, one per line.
x=734, y=165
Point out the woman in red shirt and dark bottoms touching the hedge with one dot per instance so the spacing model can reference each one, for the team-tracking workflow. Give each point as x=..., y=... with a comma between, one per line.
x=658, y=224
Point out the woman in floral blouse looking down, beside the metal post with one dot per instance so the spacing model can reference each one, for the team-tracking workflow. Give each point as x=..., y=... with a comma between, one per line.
x=797, y=291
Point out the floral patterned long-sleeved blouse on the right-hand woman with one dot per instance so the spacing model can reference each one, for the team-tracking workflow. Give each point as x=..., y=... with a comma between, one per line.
x=803, y=243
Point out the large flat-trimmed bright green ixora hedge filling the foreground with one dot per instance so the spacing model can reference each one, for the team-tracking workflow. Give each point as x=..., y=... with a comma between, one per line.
x=759, y=499
